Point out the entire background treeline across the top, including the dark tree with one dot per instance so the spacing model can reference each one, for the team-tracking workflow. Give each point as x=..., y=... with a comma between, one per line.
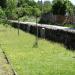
x=29, y=9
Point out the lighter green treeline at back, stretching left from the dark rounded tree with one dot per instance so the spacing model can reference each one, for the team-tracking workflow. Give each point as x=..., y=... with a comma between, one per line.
x=14, y=9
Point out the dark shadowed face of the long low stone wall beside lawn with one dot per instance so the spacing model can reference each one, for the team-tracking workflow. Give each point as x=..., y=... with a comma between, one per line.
x=56, y=35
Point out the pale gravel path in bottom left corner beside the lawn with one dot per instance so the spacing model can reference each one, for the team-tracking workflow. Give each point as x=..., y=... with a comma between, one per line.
x=5, y=68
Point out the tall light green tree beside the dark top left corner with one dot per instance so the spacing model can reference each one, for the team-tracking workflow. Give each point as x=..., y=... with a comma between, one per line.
x=11, y=9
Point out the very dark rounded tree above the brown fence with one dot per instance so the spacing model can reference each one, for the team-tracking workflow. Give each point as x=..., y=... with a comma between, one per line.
x=59, y=8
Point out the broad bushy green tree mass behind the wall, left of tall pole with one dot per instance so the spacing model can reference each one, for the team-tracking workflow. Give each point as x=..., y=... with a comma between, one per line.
x=28, y=7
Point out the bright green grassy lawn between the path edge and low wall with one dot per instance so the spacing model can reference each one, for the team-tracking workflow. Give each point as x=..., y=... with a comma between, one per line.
x=48, y=59
